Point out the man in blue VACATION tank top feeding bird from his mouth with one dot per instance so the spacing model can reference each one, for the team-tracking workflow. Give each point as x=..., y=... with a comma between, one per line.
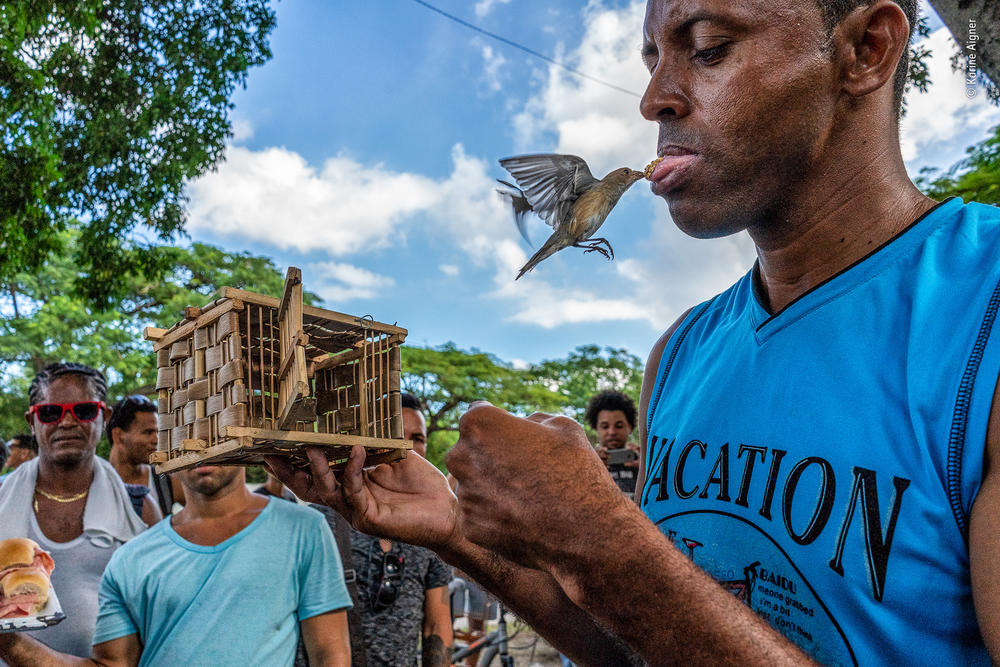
x=819, y=473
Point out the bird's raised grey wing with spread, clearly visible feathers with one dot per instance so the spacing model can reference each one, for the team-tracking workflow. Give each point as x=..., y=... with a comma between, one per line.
x=550, y=182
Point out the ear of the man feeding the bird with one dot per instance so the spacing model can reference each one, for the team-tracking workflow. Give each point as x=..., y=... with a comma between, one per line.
x=870, y=42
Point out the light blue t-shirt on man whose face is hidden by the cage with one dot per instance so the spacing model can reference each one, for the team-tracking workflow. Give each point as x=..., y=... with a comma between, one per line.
x=237, y=603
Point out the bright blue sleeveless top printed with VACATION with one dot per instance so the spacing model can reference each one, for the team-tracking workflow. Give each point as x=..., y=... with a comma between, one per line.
x=821, y=463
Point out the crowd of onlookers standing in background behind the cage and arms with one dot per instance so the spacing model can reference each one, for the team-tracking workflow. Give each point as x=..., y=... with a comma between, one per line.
x=307, y=587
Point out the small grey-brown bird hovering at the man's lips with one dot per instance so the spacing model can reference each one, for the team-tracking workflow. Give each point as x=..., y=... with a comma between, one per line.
x=563, y=192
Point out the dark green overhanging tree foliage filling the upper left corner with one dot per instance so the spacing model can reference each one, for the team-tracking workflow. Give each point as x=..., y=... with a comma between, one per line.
x=108, y=106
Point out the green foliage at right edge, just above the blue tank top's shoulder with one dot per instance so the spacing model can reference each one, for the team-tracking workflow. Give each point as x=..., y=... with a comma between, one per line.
x=976, y=178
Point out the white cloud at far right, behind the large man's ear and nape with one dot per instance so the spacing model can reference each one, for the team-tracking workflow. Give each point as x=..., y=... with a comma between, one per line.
x=943, y=114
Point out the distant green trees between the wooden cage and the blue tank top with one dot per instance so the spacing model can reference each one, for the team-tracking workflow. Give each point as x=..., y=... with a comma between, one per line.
x=447, y=379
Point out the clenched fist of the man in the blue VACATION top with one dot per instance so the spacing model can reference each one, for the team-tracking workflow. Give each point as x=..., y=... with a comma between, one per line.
x=528, y=489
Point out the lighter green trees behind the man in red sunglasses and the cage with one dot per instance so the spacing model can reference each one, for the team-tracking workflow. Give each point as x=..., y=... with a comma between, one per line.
x=43, y=321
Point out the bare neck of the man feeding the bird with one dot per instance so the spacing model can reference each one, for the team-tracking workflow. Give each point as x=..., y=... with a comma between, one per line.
x=855, y=209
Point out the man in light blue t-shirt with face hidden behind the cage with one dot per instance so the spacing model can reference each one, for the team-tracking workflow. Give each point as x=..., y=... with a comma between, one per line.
x=229, y=580
